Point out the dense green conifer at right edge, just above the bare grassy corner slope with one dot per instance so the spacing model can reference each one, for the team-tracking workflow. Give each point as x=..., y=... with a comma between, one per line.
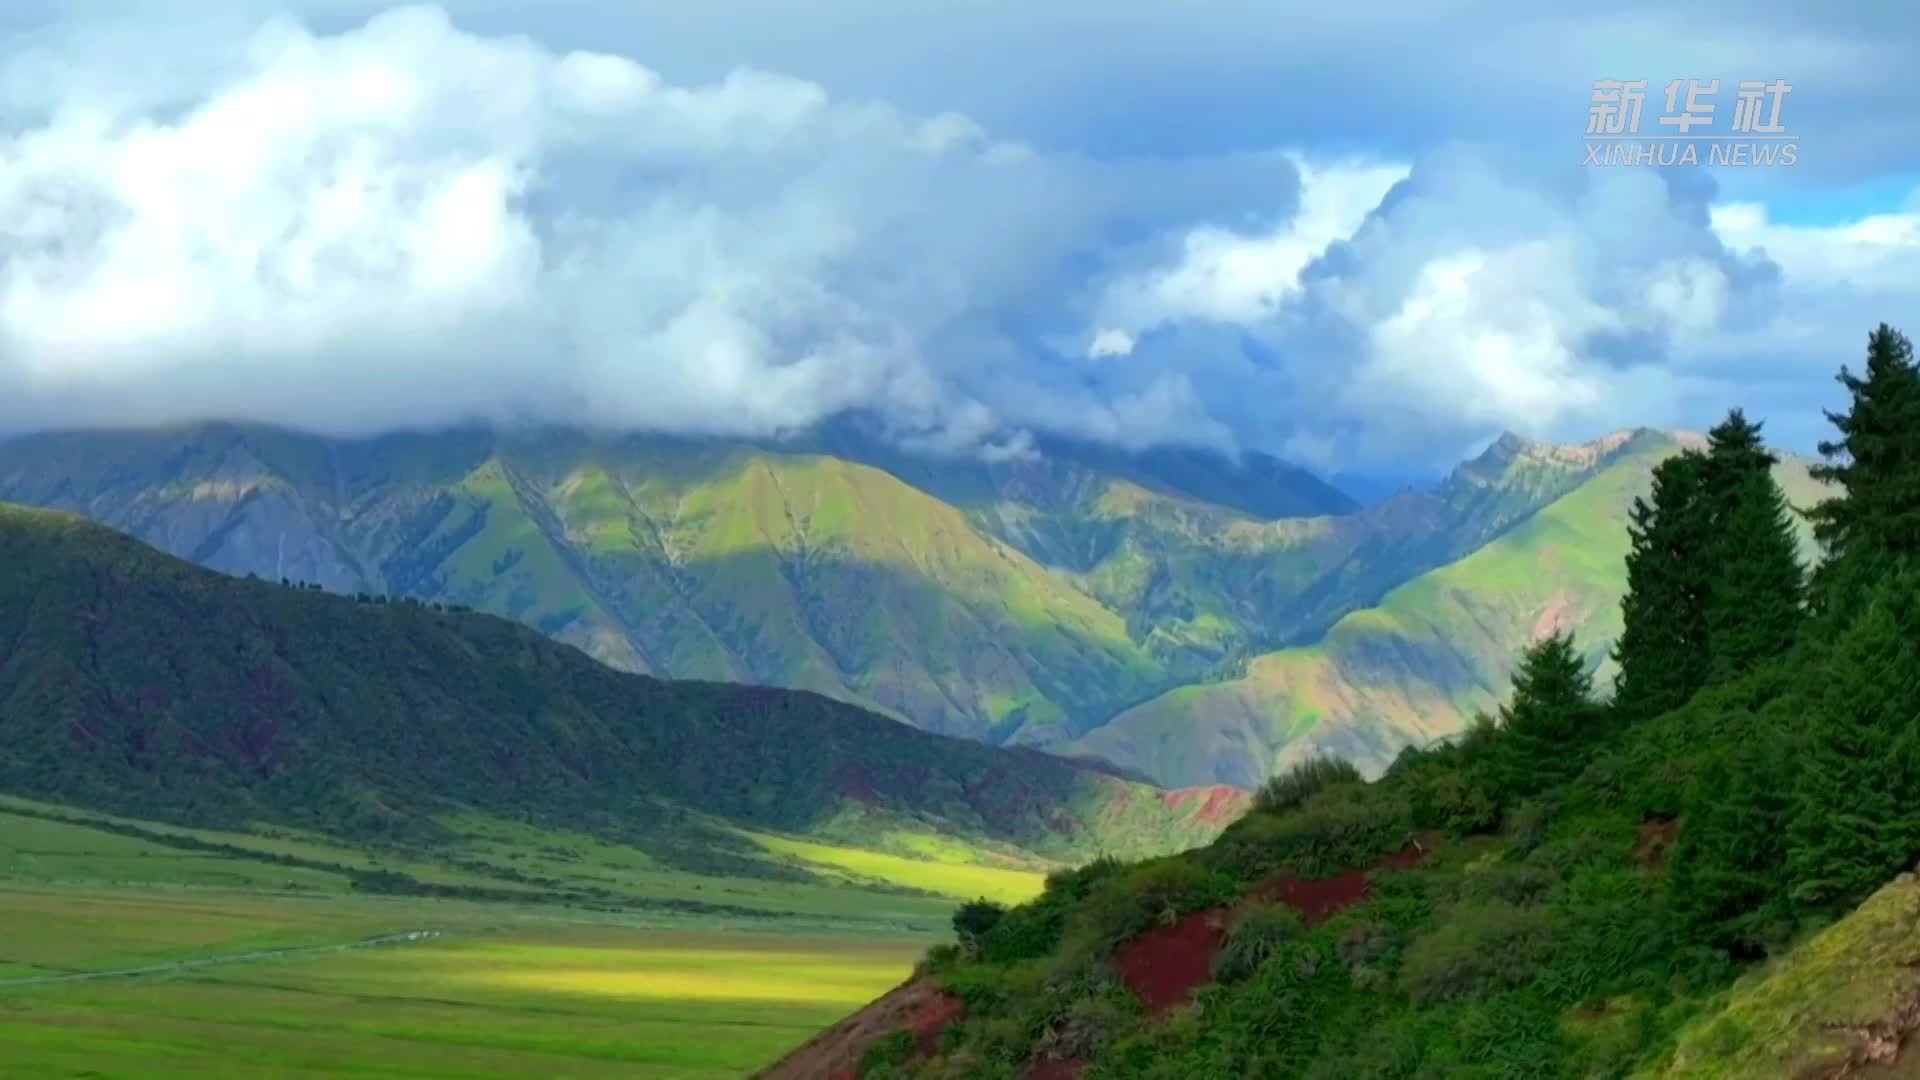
x=1856, y=822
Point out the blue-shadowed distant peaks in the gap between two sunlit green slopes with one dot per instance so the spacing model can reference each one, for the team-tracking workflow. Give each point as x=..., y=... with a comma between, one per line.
x=1207, y=579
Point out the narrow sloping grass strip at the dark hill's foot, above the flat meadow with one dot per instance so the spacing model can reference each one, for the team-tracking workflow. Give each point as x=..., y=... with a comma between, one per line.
x=508, y=862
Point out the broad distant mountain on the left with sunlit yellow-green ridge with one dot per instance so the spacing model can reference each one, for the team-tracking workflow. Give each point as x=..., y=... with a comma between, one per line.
x=679, y=558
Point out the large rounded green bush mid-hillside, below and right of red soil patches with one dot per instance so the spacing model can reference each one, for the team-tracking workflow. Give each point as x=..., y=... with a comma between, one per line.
x=1477, y=948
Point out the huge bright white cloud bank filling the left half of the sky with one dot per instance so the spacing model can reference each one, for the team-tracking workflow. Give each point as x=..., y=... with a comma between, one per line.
x=408, y=224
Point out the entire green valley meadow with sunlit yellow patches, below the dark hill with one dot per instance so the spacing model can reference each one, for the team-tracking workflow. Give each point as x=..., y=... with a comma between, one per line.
x=126, y=954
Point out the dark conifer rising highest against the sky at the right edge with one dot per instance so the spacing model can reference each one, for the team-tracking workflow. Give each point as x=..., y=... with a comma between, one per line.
x=1877, y=464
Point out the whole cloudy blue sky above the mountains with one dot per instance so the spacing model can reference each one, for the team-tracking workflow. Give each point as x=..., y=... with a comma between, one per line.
x=1355, y=235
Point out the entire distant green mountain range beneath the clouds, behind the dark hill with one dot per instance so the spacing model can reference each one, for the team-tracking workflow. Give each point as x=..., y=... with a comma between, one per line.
x=1178, y=614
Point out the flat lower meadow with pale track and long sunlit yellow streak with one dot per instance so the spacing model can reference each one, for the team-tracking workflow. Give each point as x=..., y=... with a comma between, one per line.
x=492, y=993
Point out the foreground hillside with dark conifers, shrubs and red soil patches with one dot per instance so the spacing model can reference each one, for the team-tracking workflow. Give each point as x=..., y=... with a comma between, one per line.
x=1581, y=885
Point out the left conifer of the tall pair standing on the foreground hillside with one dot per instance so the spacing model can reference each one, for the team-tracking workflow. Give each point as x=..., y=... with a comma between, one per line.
x=1664, y=641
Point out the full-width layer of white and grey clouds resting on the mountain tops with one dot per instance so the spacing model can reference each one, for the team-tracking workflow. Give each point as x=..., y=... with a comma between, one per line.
x=358, y=224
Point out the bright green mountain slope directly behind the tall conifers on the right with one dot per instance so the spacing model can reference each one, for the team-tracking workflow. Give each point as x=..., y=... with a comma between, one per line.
x=1420, y=664
